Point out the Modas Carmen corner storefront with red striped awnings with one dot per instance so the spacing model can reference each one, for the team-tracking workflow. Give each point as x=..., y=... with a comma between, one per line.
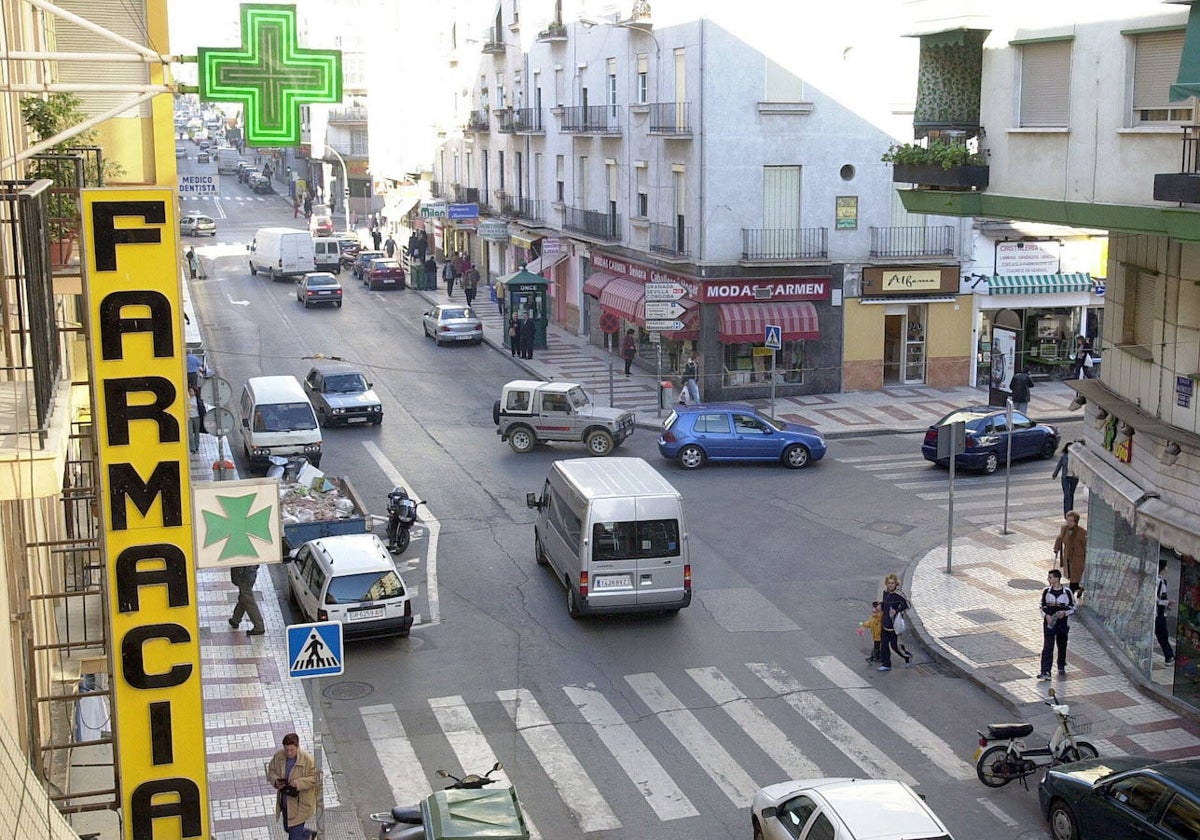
x=725, y=323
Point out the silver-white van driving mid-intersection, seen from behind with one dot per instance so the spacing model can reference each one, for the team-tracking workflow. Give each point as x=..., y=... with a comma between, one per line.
x=614, y=533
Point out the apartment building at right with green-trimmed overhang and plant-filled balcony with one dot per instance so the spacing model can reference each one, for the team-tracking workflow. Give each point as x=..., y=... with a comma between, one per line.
x=1089, y=115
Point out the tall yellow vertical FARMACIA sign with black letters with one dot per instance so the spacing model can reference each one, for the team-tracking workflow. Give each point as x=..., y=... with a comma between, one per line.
x=140, y=392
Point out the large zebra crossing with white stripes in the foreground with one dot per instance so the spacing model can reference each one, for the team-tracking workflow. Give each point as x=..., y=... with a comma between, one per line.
x=787, y=717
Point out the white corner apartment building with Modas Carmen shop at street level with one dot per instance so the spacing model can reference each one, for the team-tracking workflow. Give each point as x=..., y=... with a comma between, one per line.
x=737, y=155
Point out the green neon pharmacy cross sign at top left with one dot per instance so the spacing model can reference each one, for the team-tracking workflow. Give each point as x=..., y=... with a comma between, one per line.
x=272, y=76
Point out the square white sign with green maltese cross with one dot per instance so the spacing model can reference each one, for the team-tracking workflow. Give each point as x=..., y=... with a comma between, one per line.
x=238, y=523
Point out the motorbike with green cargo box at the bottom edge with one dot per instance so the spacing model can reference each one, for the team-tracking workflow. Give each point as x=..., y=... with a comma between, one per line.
x=461, y=811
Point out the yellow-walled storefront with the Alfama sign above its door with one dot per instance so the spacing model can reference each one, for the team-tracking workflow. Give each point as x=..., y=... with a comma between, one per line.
x=910, y=327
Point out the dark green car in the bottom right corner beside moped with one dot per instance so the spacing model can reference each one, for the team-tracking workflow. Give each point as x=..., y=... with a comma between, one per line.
x=1123, y=797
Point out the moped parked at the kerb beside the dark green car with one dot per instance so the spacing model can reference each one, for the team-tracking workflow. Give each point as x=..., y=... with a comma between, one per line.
x=997, y=765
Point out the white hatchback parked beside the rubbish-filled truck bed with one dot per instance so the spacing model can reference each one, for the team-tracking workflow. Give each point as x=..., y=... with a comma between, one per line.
x=351, y=579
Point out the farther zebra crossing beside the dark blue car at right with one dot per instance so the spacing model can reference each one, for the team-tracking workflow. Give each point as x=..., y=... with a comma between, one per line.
x=1031, y=489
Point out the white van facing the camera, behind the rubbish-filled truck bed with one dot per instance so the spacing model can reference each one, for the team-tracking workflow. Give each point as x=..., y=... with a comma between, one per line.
x=278, y=419
